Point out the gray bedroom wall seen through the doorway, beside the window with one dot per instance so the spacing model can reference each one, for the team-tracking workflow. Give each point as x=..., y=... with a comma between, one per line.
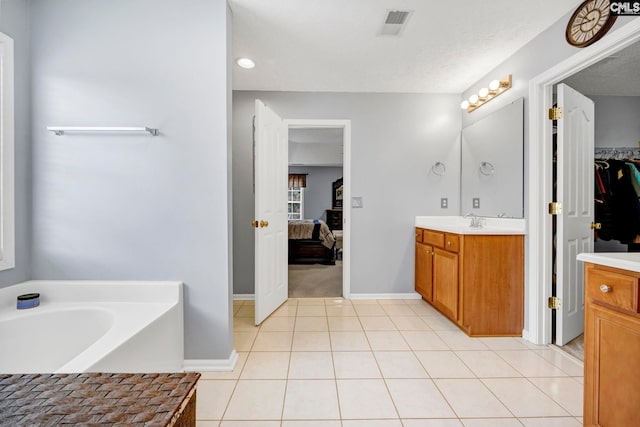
x=317, y=194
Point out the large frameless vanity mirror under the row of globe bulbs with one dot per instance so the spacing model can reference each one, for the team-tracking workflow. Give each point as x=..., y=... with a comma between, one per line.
x=492, y=149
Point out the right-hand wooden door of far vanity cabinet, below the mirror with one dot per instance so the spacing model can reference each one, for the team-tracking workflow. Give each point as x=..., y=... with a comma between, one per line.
x=445, y=282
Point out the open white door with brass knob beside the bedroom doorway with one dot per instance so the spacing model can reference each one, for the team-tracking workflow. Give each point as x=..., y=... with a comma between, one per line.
x=271, y=172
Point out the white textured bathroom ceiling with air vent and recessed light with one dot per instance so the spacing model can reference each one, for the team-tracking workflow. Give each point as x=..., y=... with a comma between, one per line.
x=333, y=45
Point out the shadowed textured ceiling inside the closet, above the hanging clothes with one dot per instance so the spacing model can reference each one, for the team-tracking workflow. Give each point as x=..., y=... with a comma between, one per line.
x=616, y=75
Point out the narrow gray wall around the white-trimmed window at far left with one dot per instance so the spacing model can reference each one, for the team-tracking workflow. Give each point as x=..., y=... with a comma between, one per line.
x=14, y=21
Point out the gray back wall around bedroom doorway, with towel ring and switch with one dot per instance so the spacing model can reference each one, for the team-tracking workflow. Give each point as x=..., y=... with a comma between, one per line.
x=396, y=138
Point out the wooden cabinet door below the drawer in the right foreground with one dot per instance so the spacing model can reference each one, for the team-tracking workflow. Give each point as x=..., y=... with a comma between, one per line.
x=612, y=349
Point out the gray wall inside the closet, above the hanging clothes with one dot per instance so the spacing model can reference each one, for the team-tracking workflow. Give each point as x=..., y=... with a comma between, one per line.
x=617, y=121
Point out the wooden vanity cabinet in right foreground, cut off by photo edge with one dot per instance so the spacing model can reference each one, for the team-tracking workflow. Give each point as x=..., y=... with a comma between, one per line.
x=612, y=347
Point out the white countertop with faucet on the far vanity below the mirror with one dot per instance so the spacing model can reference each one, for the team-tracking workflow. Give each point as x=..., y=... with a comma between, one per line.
x=462, y=225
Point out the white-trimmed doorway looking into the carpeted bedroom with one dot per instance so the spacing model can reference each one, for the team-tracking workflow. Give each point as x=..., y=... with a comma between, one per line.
x=320, y=151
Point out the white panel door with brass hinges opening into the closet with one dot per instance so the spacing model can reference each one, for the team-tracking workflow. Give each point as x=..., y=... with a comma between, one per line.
x=575, y=191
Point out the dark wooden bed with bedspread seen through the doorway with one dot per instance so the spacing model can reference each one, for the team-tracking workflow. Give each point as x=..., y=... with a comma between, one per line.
x=310, y=242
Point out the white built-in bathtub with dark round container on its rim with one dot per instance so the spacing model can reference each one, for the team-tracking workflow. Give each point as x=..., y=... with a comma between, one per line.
x=91, y=326
